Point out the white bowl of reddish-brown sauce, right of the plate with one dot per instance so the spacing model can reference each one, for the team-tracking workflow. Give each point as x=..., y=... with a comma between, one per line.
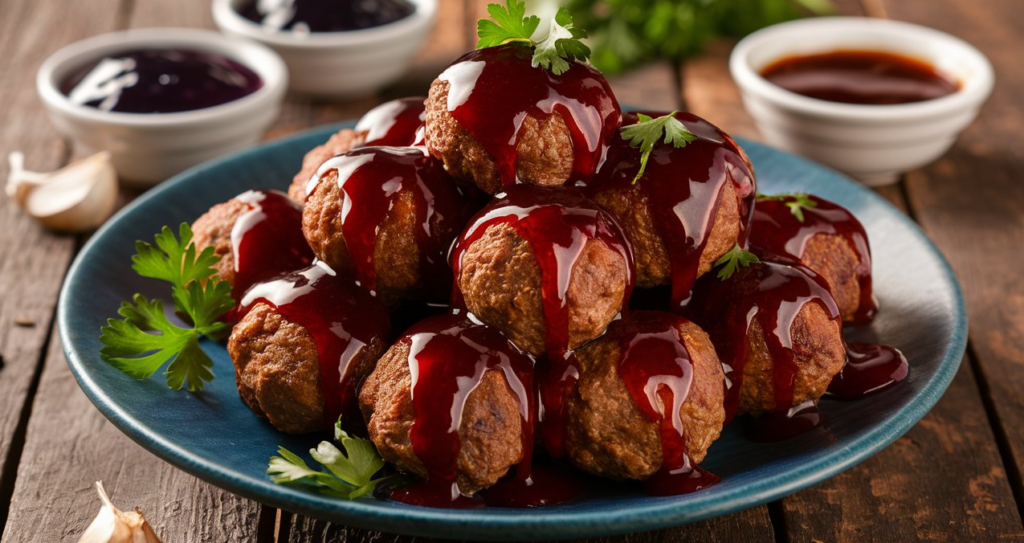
x=873, y=99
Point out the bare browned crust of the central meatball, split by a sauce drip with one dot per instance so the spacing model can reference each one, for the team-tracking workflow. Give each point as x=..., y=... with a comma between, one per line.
x=501, y=284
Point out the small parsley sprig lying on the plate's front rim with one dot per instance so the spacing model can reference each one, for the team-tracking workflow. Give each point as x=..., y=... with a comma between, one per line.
x=351, y=470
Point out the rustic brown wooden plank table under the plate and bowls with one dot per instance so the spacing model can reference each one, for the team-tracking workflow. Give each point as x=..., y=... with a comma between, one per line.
x=956, y=477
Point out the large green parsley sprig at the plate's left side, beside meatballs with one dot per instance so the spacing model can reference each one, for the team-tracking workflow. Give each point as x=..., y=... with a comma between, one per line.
x=146, y=340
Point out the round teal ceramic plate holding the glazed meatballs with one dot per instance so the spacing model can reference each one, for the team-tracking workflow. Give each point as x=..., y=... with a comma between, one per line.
x=216, y=438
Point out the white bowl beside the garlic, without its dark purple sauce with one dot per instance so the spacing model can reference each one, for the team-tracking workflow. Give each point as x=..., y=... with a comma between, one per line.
x=148, y=149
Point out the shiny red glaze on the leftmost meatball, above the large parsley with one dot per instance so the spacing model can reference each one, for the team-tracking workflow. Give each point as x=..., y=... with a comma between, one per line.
x=268, y=240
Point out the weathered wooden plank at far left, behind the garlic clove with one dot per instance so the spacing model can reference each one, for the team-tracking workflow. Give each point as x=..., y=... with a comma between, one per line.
x=32, y=261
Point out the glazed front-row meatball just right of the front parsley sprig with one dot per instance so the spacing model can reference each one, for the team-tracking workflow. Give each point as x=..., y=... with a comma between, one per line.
x=409, y=422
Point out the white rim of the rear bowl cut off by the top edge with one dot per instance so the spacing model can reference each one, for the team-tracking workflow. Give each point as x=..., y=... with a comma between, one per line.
x=229, y=20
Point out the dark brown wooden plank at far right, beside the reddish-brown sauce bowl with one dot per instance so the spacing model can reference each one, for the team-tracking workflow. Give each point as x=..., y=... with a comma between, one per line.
x=971, y=203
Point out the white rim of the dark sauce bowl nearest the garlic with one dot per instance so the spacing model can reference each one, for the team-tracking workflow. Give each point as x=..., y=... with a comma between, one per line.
x=271, y=69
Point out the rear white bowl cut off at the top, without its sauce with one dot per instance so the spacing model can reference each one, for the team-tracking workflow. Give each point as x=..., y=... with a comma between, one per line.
x=338, y=65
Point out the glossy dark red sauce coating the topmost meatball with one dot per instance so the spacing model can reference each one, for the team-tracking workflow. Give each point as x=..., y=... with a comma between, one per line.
x=493, y=91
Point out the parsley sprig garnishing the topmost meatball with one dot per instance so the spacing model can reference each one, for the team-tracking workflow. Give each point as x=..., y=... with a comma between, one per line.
x=509, y=24
